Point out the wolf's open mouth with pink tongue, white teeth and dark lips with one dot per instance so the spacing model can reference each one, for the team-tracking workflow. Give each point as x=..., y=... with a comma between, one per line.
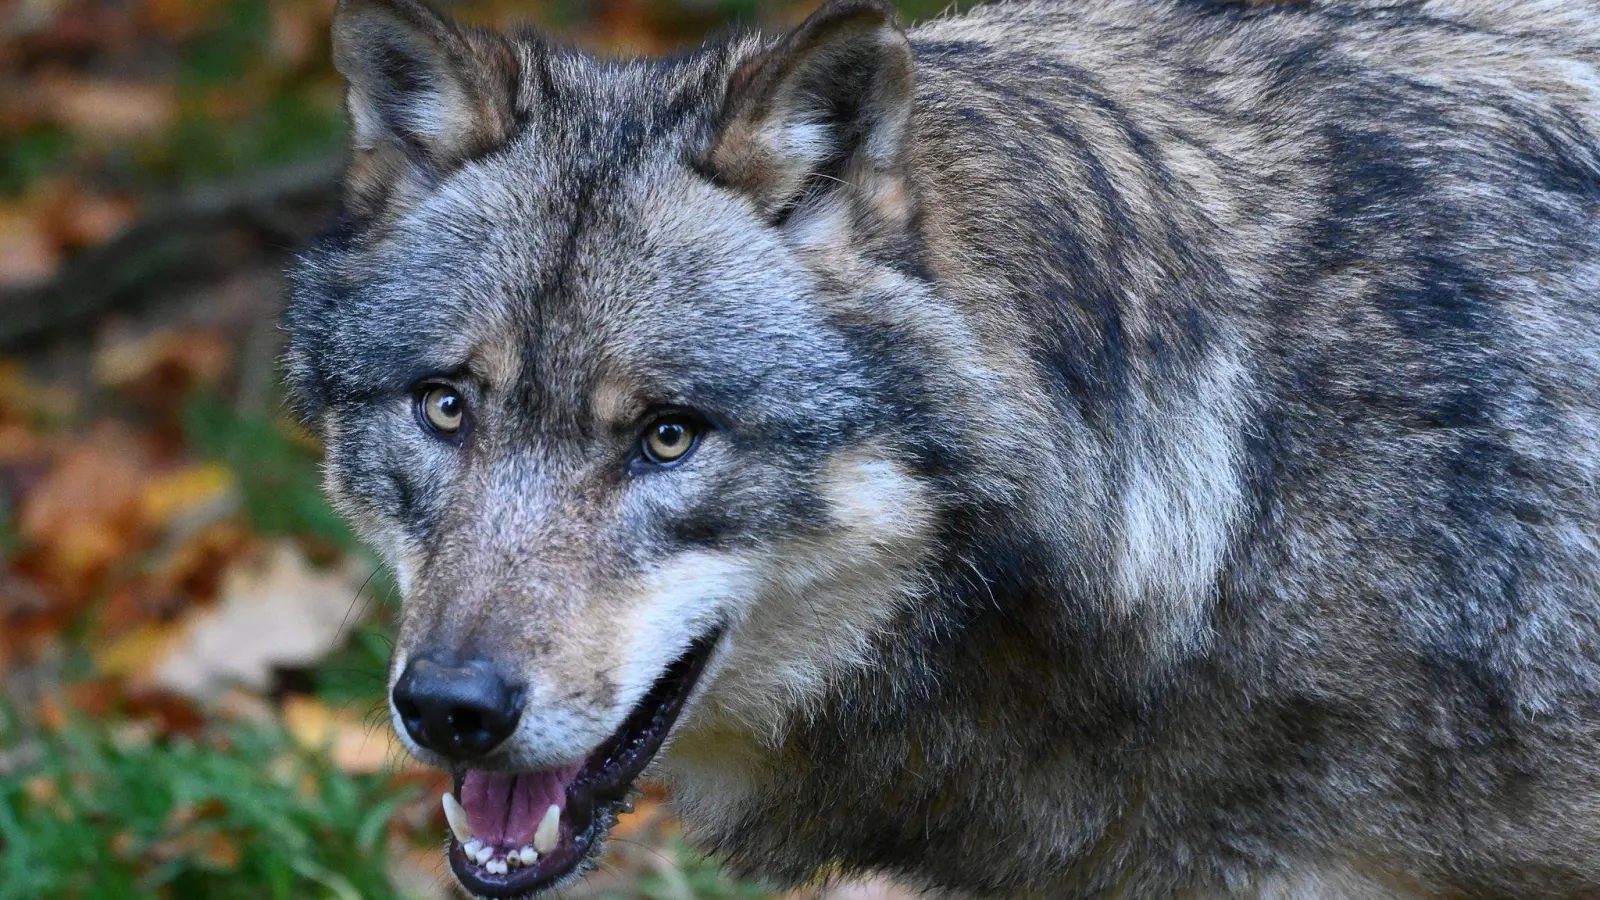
x=516, y=834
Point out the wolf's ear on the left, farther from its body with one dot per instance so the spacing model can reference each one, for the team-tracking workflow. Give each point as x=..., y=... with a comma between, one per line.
x=425, y=95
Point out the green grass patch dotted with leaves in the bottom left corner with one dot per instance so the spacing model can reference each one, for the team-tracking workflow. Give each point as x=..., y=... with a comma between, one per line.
x=103, y=813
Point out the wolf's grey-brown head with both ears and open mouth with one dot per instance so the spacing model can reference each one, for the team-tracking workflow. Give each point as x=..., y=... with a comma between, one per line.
x=630, y=372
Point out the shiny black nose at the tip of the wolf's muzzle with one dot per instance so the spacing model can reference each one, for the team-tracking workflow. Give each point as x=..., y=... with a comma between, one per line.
x=455, y=709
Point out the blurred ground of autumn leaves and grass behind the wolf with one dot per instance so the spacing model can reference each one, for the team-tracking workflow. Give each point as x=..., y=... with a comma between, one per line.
x=193, y=645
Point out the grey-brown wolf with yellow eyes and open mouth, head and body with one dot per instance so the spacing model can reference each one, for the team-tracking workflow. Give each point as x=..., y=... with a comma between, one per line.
x=1121, y=449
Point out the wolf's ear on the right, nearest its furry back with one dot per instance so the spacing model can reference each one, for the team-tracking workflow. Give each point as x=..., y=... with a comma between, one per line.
x=826, y=110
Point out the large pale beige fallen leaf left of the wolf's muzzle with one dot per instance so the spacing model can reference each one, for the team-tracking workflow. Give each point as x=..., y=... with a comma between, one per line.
x=278, y=611
